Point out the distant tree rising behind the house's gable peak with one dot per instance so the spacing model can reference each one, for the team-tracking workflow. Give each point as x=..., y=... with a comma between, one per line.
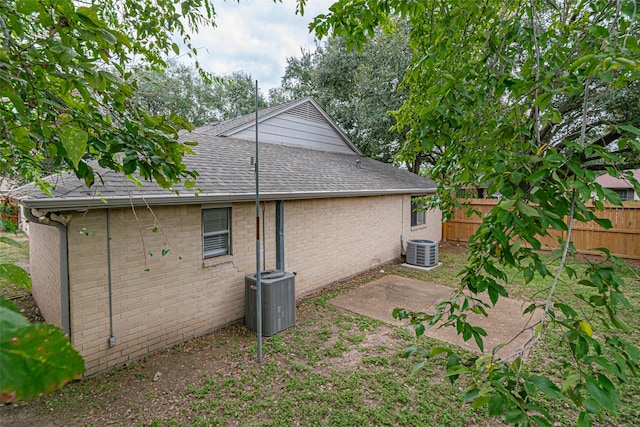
x=357, y=89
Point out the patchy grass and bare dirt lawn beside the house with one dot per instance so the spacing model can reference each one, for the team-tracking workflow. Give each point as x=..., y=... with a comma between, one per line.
x=333, y=368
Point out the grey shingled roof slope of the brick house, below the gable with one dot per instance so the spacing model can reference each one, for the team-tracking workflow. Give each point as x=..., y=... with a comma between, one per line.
x=227, y=175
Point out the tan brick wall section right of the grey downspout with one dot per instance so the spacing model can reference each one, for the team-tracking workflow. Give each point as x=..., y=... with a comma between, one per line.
x=330, y=239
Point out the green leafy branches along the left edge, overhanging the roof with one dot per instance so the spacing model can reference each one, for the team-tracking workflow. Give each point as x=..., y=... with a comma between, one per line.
x=66, y=103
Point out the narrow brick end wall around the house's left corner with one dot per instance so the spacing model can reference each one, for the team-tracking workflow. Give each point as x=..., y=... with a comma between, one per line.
x=44, y=256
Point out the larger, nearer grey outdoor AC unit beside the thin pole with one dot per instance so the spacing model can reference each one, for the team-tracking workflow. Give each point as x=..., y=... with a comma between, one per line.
x=278, y=301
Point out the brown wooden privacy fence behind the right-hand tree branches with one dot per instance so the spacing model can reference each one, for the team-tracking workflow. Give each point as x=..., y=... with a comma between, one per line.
x=623, y=239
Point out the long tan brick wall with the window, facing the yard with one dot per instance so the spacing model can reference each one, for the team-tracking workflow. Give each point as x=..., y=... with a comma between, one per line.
x=160, y=300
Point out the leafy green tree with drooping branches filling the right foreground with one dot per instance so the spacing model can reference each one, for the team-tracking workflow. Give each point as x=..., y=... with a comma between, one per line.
x=536, y=99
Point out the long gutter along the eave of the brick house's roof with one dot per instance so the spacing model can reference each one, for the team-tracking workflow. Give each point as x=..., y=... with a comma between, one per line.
x=68, y=204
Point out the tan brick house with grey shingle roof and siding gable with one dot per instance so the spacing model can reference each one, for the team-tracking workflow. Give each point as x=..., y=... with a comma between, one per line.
x=149, y=268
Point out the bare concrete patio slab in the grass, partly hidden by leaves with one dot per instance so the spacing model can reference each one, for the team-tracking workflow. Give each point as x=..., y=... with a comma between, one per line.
x=505, y=324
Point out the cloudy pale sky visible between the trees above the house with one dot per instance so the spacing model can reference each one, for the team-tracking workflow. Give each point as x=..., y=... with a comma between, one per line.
x=257, y=37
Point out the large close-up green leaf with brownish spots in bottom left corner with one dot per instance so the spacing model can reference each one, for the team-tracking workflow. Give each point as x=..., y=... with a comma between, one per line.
x=34, y=358
